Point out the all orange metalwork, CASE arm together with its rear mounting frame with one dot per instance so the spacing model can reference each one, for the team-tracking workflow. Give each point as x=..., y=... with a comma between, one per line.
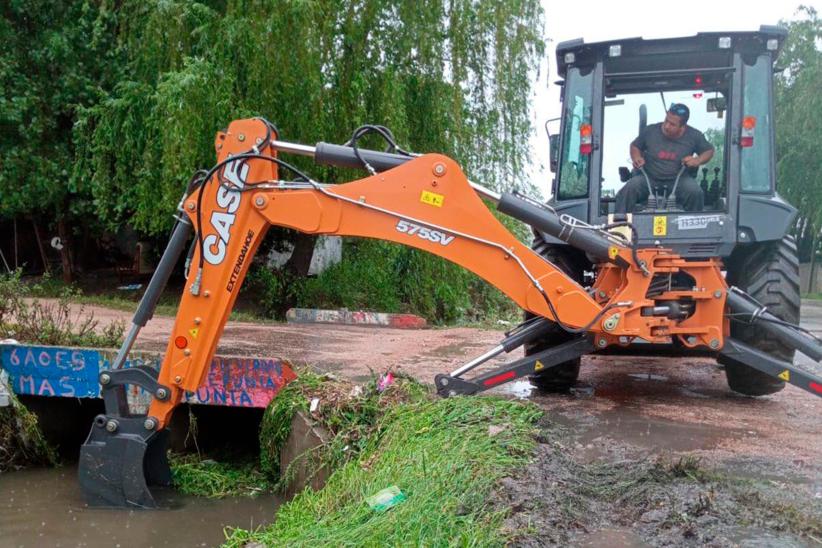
x=426, y=203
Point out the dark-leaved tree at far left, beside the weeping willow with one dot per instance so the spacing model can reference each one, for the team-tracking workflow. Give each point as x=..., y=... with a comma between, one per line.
x=56, y=59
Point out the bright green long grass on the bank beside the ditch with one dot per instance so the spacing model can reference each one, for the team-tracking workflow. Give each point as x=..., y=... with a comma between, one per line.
x=439, y=453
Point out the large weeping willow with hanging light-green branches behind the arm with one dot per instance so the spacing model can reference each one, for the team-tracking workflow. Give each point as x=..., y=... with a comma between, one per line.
x=448, y=76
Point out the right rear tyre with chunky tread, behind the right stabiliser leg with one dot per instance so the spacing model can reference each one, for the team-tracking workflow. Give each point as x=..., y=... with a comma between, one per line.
x=769, y=272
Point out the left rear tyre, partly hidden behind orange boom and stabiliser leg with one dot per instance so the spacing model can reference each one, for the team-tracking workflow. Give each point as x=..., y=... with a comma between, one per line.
x=563, y=376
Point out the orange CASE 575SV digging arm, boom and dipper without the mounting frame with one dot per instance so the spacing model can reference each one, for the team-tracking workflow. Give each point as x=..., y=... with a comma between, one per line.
x=425, y=203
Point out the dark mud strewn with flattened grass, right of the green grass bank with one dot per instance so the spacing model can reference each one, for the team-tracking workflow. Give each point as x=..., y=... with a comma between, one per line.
x=564, y=498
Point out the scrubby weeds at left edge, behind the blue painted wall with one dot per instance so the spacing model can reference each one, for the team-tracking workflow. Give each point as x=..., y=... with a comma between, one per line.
x=28, y=319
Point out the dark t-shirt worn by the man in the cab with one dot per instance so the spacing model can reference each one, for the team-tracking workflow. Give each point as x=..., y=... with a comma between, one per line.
x=663, y=156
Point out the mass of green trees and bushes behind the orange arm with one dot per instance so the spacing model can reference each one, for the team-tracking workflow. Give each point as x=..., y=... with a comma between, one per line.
x=108, y=107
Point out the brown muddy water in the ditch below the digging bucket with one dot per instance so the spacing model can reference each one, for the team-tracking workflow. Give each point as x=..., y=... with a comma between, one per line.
x=44, y=507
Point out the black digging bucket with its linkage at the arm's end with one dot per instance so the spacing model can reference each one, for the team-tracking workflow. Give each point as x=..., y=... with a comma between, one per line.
x=124, y=453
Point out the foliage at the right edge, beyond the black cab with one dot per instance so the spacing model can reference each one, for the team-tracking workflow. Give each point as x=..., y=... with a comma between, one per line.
x=798, y=103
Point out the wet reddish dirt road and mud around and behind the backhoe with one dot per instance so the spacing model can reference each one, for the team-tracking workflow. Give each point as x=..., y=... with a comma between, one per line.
x=598, y=478
